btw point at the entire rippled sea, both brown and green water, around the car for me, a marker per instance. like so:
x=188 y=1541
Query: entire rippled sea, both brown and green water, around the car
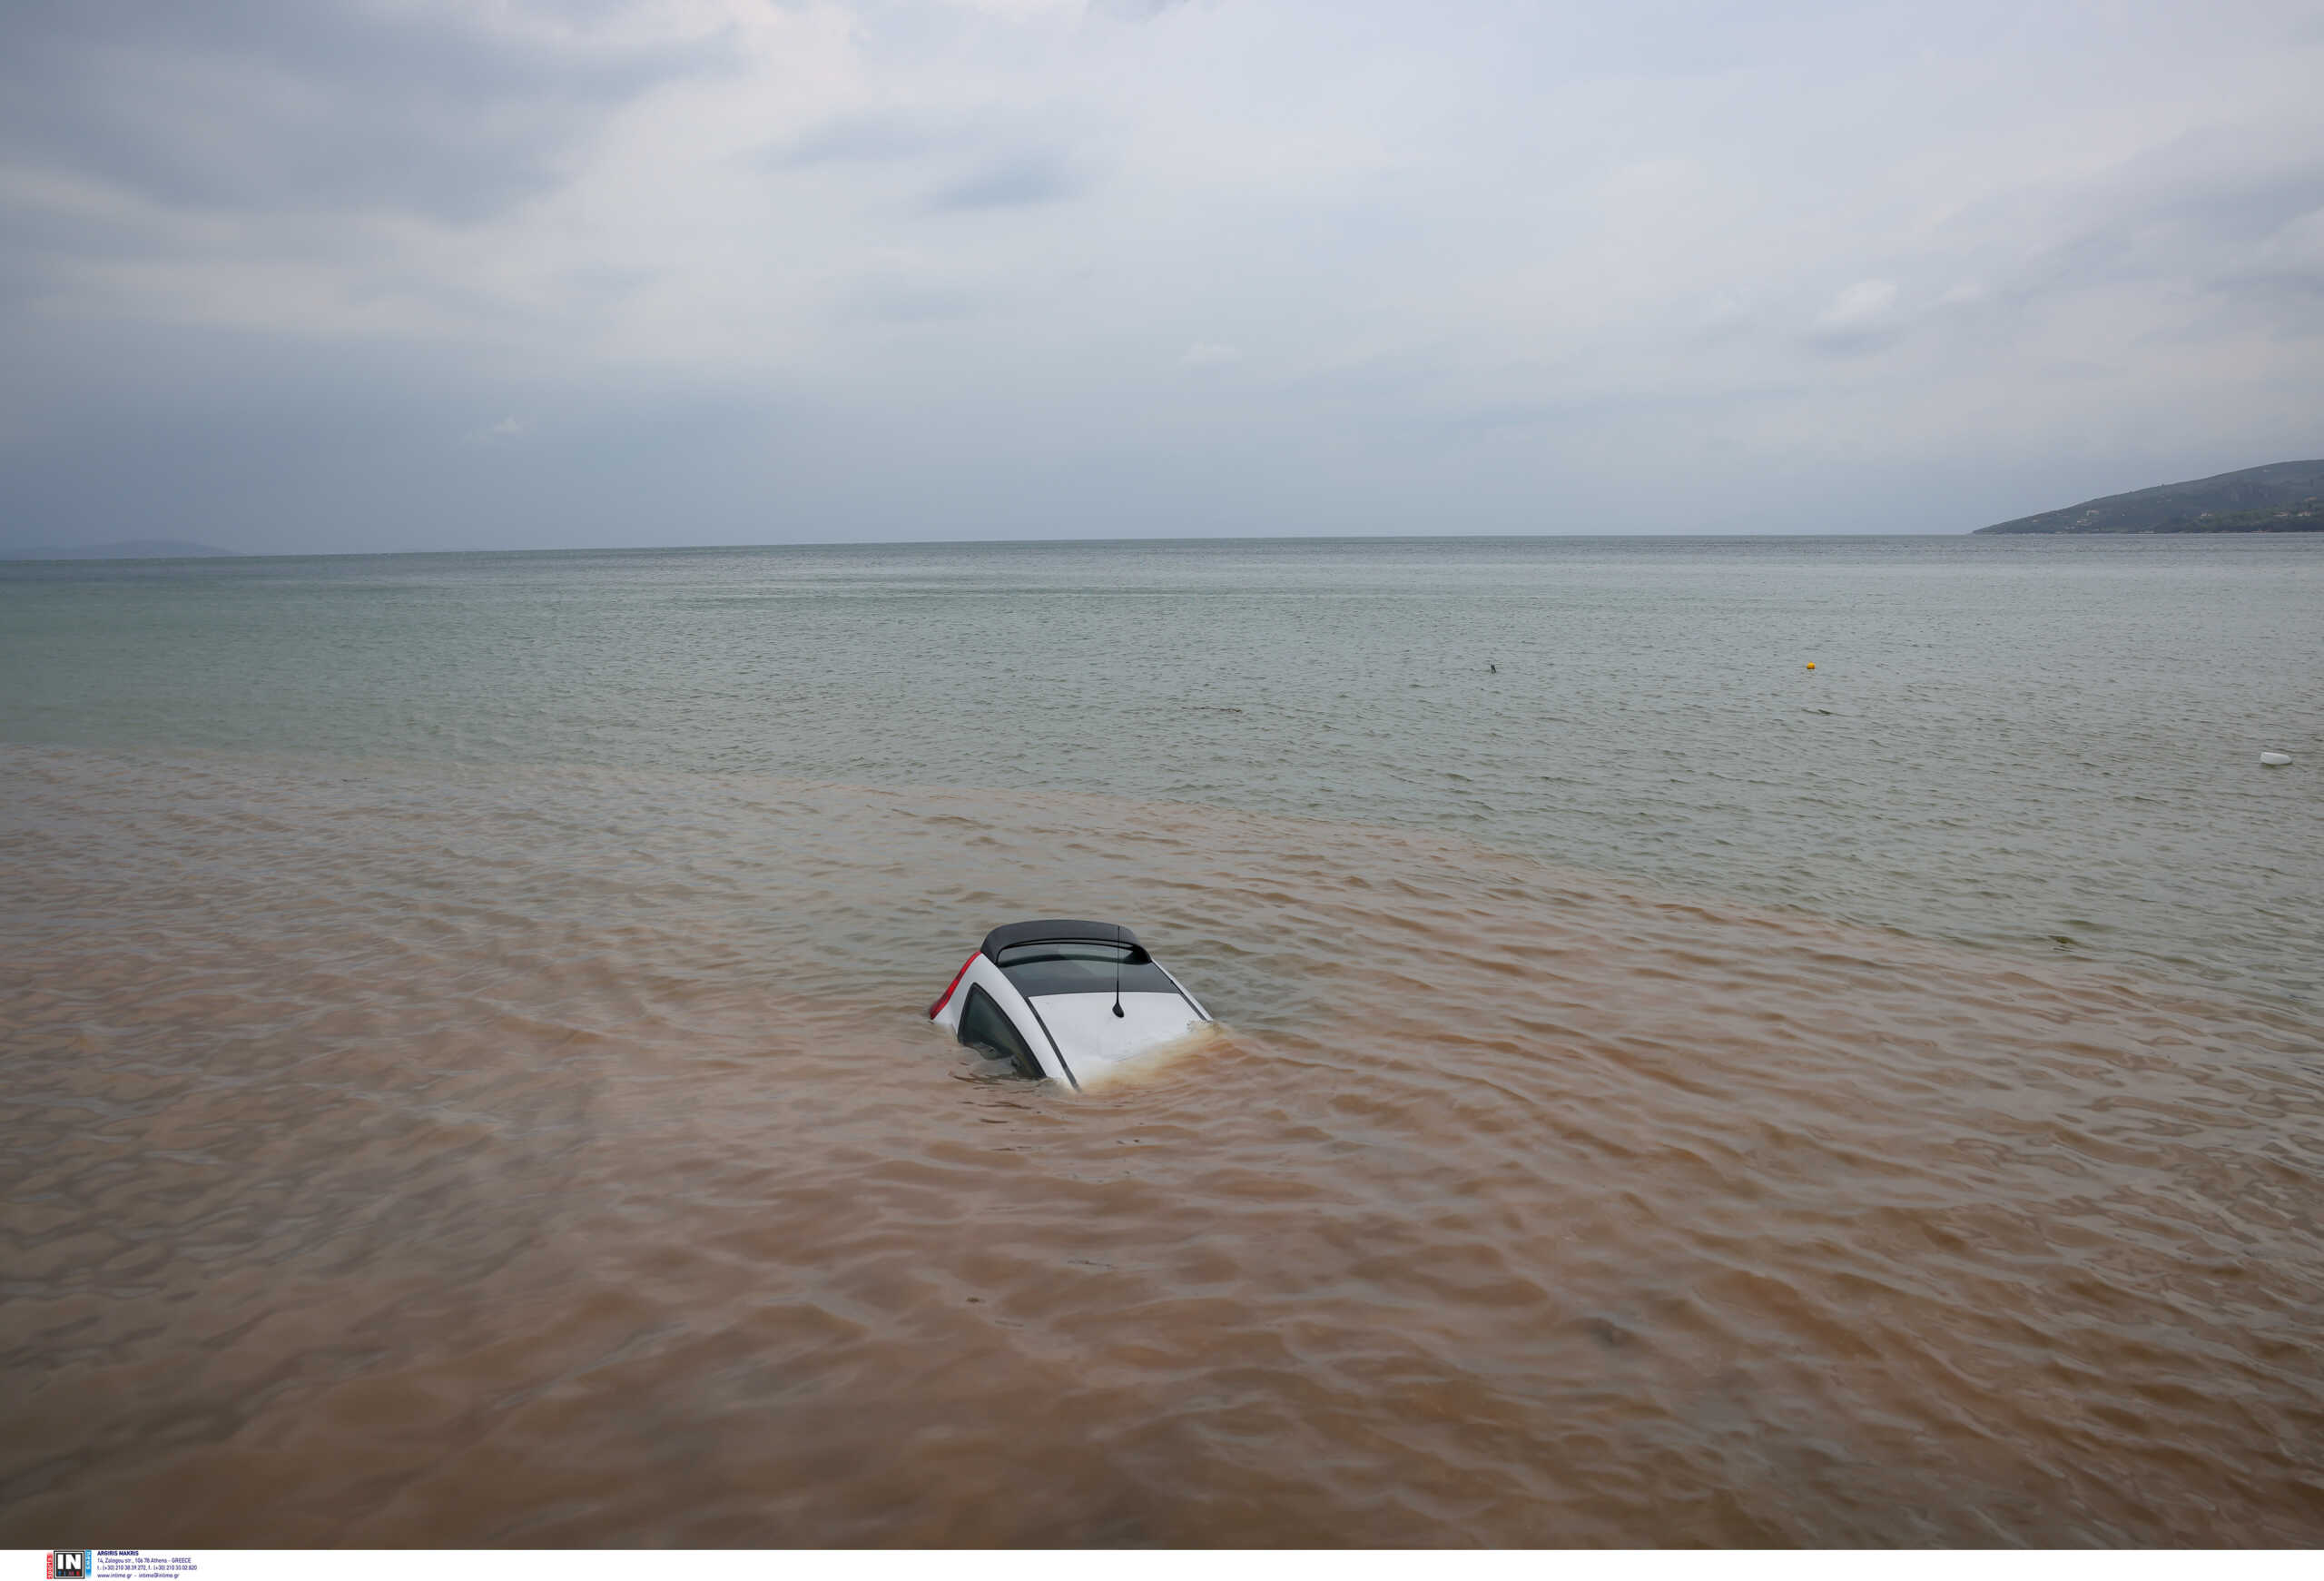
x=464 y=1017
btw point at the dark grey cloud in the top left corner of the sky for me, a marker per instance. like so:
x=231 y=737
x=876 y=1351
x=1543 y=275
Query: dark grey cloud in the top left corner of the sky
x=310 y=103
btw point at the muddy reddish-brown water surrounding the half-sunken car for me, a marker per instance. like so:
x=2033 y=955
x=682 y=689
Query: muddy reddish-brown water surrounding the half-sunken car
x=559 y=1157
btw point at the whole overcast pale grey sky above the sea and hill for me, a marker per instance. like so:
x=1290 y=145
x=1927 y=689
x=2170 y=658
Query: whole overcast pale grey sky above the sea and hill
x=299 y=276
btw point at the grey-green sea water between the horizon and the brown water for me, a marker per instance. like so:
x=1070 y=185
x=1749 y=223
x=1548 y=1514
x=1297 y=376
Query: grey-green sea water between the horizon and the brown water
x=2028 y=745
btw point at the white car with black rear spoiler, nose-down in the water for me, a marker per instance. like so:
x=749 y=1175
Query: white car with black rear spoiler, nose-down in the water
x=1066 y=1001
